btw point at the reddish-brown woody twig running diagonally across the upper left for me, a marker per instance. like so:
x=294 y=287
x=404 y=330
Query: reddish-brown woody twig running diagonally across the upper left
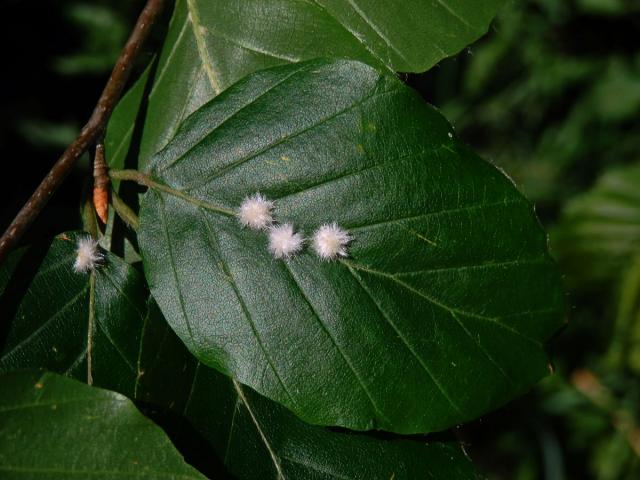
x=94 y=127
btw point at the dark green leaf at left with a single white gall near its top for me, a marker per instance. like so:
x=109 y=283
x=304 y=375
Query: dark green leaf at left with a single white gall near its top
x=67 y=321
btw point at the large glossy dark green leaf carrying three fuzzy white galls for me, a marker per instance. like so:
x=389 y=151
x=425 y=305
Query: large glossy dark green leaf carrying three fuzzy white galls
x=442 y=308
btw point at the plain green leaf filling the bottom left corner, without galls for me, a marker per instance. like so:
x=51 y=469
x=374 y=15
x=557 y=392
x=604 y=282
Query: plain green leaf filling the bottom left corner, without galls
x=52 y=427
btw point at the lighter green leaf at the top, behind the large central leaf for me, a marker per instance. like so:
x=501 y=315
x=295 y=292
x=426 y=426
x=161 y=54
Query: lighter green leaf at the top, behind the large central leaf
x=212 y=44
